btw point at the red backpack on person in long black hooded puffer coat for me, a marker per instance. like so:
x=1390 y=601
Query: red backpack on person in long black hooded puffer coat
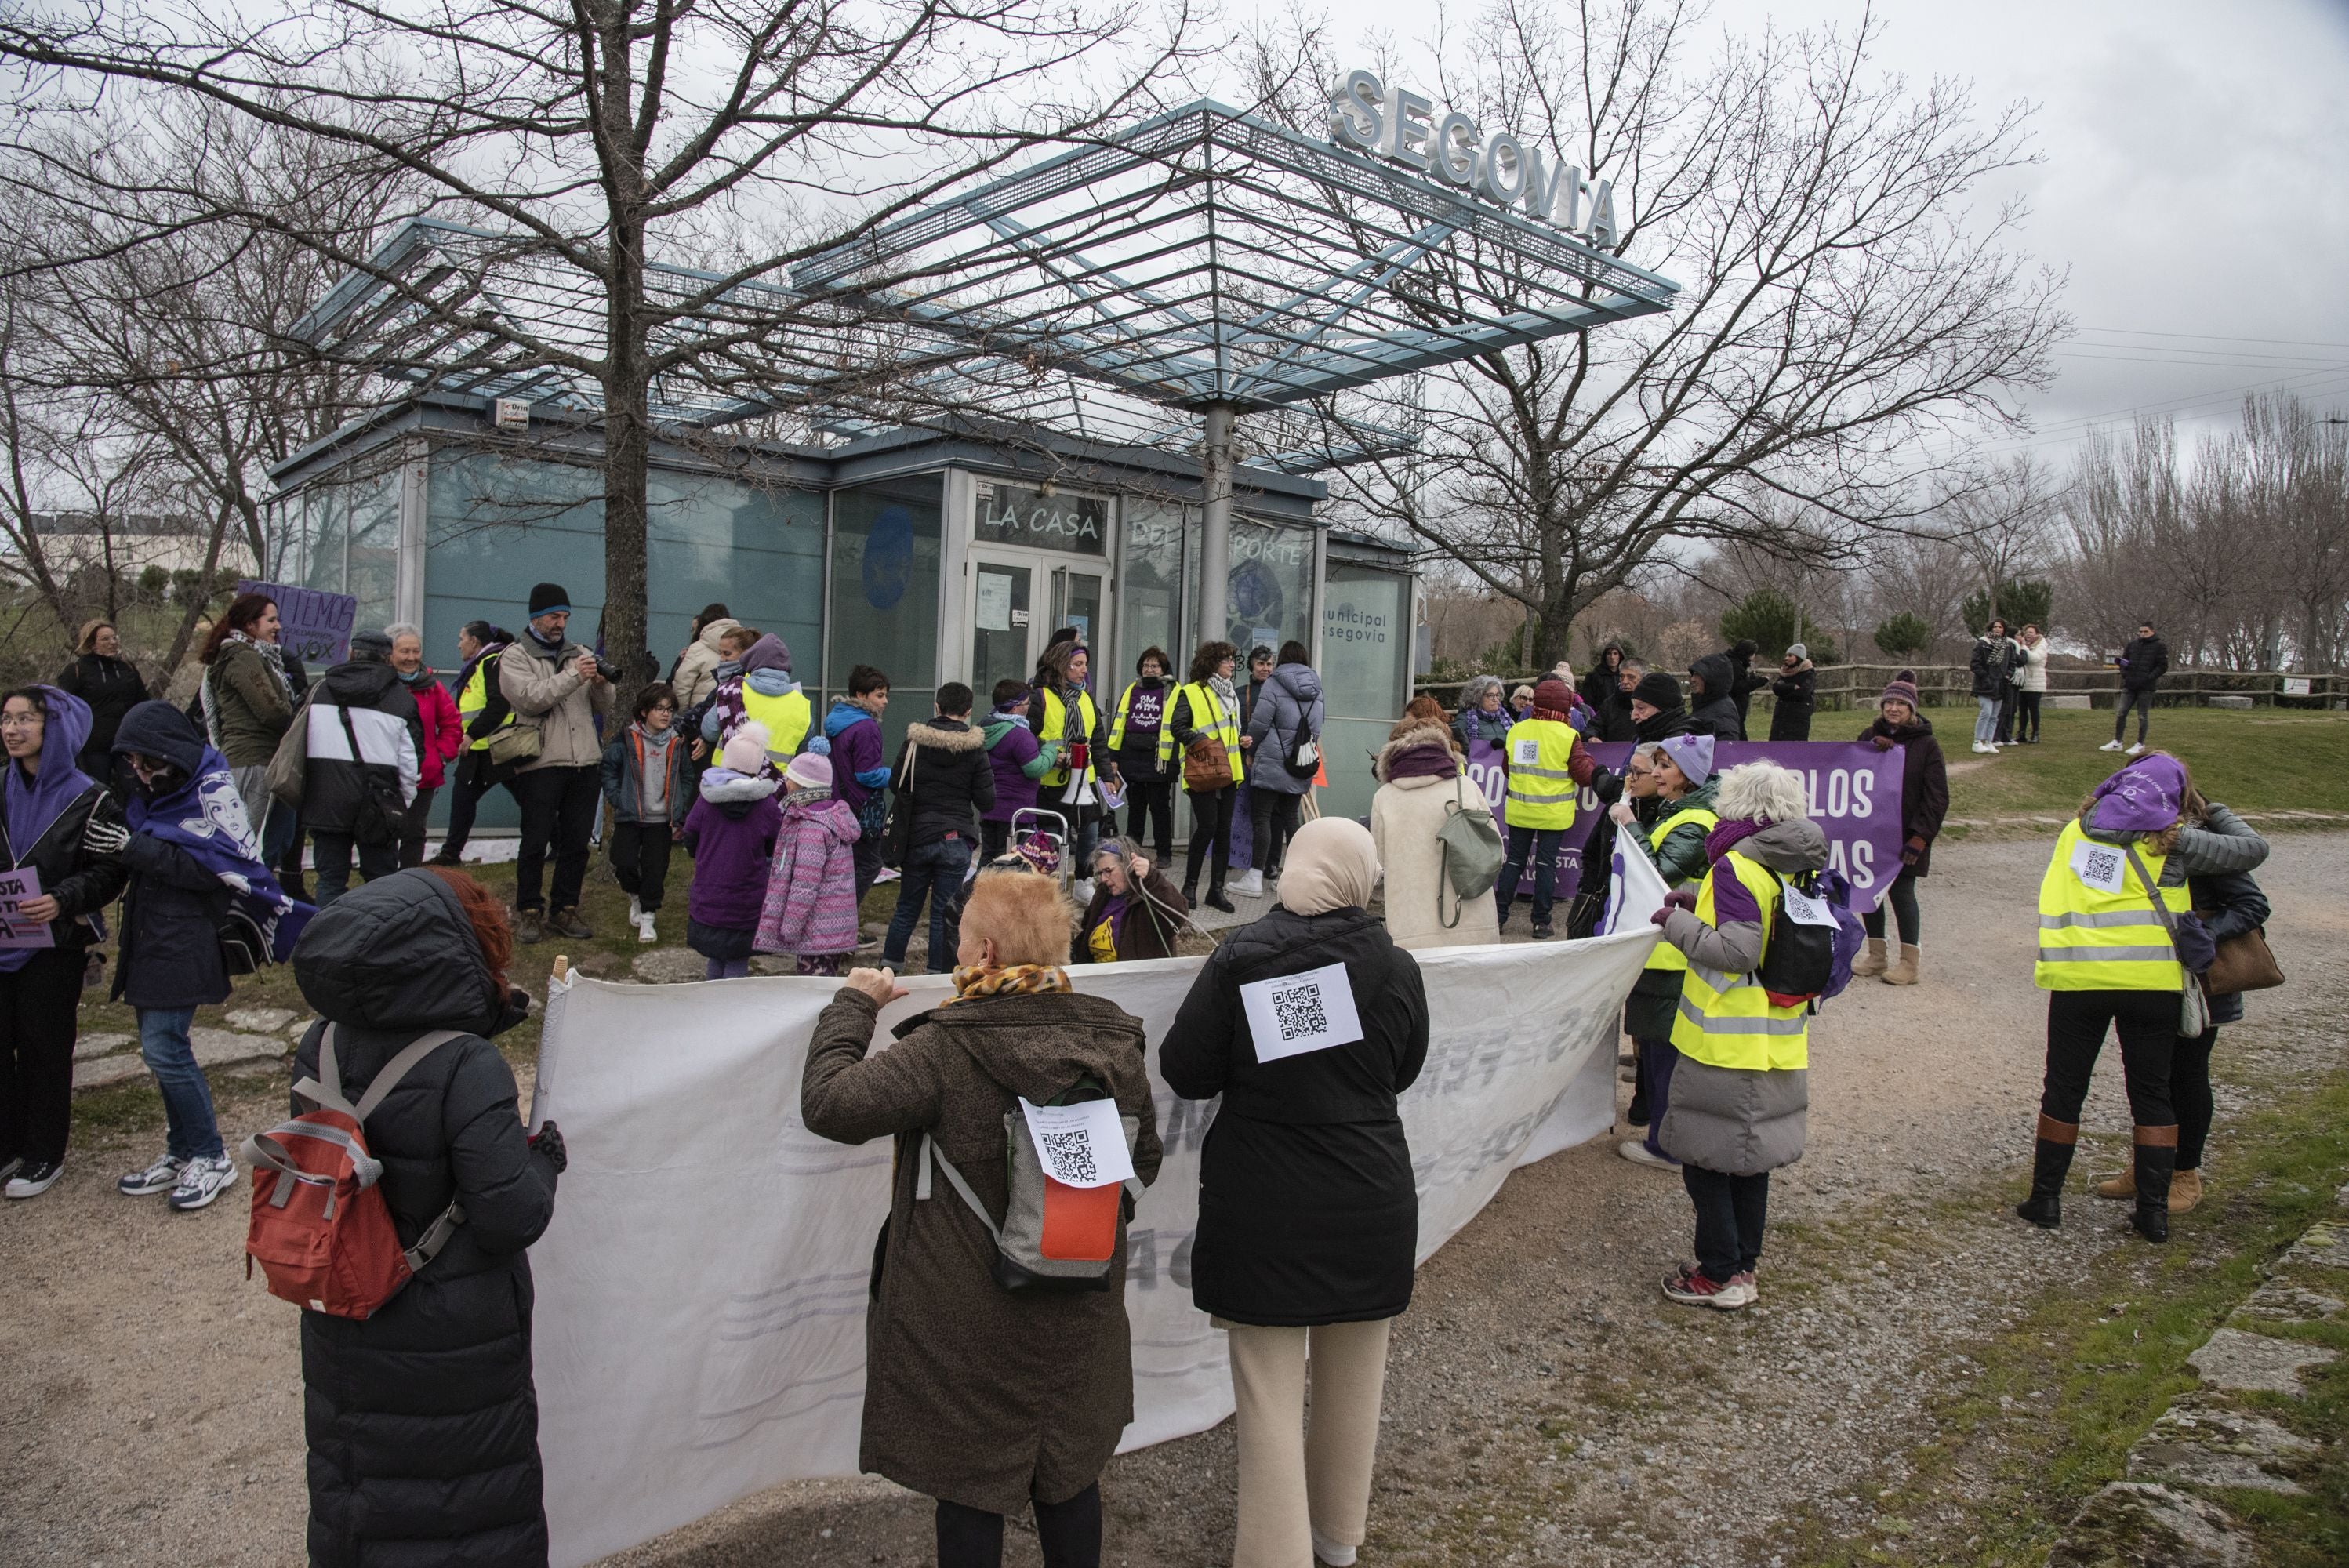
x=321 y=1226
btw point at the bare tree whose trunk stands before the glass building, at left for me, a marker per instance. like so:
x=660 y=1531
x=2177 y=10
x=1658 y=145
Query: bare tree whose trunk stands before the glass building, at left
x=595 y=135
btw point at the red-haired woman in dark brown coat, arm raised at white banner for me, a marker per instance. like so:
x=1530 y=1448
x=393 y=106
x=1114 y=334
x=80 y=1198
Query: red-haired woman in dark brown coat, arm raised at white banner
x=981 y=1395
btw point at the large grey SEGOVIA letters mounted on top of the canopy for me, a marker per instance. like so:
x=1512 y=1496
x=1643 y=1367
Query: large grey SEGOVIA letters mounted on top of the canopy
x=1404 y=128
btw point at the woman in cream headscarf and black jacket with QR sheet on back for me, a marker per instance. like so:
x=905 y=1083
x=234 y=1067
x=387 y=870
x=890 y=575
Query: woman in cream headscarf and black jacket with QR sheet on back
x=1310 y=1025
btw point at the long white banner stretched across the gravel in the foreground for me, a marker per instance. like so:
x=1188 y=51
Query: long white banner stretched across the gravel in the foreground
x=701 y=1292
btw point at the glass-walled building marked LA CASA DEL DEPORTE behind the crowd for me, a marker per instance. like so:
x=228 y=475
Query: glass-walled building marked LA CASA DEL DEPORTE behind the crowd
x=934 y=557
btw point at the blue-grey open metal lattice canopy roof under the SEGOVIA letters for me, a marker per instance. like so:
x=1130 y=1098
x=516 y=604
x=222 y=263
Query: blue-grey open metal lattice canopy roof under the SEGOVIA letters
x=1197 y=259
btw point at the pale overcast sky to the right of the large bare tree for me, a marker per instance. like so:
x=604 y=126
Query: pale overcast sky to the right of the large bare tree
x=2195 y=182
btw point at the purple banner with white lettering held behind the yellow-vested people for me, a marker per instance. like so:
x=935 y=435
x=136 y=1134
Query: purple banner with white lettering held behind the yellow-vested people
x=1855 y=802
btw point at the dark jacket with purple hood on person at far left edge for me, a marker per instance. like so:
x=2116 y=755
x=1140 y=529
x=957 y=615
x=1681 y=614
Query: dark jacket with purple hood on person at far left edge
x=81 y=884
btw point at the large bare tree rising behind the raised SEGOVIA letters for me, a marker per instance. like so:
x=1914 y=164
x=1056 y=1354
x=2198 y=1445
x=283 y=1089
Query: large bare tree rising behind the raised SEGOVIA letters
x=1840 y=302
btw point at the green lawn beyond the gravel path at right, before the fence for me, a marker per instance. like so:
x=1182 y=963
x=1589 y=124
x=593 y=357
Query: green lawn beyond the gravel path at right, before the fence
x=2256 y=762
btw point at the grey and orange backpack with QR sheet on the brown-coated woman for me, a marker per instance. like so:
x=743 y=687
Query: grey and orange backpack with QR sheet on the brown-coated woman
x=1051 y=1238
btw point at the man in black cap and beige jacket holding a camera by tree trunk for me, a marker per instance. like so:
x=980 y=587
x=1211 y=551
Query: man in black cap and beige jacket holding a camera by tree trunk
x=558 y=689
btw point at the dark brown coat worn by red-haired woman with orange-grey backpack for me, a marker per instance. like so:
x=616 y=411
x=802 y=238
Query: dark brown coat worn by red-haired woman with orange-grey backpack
x=974 y=1393
